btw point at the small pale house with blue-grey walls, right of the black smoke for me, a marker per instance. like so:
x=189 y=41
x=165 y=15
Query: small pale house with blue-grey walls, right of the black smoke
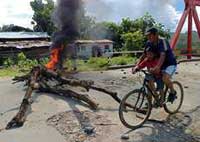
x=94 y=48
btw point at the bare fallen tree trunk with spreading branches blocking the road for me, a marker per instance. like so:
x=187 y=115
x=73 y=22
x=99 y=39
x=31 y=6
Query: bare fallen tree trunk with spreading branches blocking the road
x=41 y=79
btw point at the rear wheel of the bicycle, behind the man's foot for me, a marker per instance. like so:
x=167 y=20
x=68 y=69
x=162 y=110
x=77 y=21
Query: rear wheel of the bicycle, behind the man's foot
x=173 y=107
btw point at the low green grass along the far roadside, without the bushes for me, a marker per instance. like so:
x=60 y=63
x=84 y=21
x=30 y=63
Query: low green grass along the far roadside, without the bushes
x=93 y=64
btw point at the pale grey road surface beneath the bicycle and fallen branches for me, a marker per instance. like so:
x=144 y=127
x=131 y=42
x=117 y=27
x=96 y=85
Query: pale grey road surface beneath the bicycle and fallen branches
x=179 y=128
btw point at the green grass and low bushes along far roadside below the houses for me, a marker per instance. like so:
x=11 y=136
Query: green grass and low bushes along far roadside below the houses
x=21 y=64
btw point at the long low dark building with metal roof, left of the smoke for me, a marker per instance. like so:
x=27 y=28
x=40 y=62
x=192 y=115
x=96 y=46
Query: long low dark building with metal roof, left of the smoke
x=32 y=44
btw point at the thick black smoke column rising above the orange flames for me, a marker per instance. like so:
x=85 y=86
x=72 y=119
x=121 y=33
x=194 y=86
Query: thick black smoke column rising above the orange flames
x=66 y=17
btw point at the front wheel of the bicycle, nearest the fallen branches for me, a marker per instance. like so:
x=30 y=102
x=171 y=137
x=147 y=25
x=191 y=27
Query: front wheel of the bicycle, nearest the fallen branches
x=135 y=109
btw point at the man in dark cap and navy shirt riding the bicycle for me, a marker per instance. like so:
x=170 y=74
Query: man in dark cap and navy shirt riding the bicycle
x=166 y=60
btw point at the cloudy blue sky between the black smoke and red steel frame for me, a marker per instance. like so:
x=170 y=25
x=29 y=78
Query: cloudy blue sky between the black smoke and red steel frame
x=114 y=10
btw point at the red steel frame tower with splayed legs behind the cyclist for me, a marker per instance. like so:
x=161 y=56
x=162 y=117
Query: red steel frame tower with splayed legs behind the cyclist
x=191 y=12
